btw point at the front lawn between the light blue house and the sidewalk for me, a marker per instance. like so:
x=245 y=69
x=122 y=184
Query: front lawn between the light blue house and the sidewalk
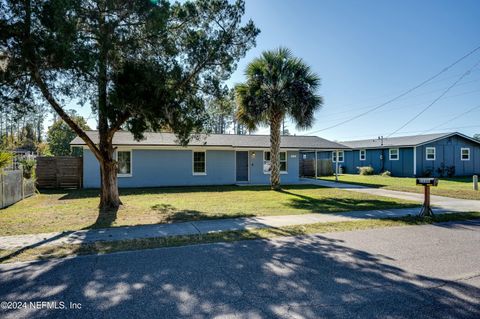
x=77 y=209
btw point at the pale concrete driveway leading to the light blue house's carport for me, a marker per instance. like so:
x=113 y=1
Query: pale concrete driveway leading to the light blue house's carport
x=445 y=203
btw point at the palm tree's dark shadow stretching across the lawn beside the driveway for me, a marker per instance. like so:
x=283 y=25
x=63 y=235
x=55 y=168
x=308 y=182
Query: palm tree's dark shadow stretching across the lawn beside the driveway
x=335 y=205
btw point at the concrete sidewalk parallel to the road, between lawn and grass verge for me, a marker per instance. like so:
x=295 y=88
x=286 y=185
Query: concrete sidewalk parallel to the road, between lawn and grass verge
x=192 y=228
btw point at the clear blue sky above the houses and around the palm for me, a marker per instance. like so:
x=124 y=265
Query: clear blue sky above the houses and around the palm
x=368 y=52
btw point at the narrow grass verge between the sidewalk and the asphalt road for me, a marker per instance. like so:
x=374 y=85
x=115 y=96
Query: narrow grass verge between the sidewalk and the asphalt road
x=7 y=256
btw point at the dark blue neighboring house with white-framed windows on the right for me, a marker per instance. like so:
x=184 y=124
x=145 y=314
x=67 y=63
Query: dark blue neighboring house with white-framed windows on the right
x=443 y=154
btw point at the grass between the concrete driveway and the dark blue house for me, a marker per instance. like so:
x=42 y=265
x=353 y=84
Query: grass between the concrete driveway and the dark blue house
x=457 y=187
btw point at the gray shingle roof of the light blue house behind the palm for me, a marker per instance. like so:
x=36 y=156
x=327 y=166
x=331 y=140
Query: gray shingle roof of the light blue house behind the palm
x=217 y=140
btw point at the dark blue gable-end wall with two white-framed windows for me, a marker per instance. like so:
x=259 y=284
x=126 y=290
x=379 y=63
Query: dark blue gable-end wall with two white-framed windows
x=448 y=152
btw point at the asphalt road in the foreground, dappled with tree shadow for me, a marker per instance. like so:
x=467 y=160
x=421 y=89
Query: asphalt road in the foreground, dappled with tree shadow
x=408 y=272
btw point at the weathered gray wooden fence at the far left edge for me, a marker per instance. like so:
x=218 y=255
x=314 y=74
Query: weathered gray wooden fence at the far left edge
x=14 y=188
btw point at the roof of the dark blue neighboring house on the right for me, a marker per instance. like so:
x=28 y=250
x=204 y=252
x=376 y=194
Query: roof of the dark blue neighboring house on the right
x=399 y=141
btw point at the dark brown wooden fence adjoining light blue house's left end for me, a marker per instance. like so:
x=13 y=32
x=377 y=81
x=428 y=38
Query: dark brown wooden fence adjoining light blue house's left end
x=59 y=172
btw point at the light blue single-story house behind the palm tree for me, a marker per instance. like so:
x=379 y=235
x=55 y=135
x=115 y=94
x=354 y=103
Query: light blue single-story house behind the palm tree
x=216 y=159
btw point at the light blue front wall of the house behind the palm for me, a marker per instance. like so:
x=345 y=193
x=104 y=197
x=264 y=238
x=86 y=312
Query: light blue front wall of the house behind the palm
x=152 y=168
